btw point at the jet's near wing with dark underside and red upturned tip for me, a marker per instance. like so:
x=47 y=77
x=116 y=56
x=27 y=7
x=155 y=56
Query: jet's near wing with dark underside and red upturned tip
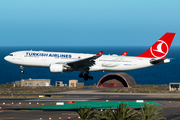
x=86 y=62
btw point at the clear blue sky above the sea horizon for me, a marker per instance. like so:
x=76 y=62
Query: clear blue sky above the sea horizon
x=87 y=22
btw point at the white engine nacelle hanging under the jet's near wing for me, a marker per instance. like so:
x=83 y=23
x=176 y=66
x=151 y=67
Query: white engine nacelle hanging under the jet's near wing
x=60 y=68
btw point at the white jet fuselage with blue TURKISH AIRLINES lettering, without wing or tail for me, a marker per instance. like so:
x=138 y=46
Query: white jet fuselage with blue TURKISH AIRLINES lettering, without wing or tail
x=103 y=63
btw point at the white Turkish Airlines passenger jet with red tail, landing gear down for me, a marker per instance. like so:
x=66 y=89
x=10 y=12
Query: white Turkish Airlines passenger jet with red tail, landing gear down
x=85 y=63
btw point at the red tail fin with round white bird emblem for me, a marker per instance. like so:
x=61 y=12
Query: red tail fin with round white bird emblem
x=160 y=48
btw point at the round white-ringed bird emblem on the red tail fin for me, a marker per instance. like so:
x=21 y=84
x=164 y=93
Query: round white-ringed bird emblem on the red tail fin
x=160 y=49
